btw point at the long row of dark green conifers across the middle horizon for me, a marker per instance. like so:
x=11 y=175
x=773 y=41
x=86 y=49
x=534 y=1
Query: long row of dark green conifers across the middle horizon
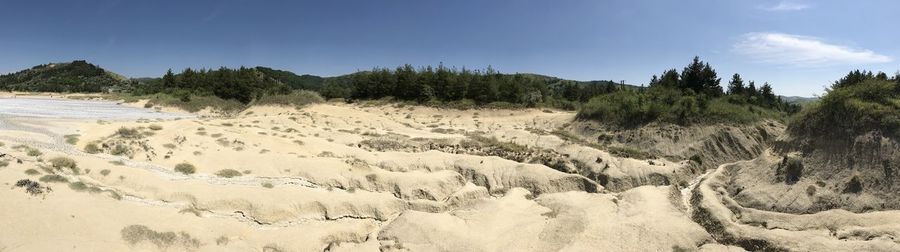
x=443 y=84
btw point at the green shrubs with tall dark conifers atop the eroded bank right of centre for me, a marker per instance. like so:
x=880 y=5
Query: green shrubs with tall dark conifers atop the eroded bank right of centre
x=692 y=97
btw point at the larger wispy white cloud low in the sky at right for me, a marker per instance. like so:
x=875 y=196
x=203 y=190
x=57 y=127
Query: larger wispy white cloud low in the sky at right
x=802 y=51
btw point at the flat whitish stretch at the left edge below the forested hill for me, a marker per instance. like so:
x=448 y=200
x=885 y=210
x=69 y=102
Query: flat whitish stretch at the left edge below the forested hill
x=77 y=109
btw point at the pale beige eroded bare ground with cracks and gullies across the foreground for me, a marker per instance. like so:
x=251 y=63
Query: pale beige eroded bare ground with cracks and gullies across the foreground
x=344 y=177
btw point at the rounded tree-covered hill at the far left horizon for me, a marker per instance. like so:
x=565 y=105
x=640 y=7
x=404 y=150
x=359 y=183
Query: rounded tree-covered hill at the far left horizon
x=75 y=76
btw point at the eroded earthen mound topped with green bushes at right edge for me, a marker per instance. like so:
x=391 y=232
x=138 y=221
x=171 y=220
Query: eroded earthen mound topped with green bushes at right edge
x=840 y=152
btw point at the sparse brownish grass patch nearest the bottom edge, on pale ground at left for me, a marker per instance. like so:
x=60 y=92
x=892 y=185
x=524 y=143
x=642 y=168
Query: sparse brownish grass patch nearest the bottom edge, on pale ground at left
x=135 y=234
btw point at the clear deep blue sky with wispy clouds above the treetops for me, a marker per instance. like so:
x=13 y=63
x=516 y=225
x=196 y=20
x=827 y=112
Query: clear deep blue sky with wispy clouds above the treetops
x=799 y=47
